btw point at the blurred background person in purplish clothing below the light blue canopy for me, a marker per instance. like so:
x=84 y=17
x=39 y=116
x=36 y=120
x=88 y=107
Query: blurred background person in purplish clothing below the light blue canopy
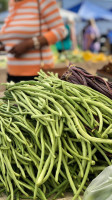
x=90 y=37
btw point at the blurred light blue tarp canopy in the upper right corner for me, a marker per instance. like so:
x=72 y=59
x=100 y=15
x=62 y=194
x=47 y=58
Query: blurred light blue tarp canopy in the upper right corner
x=89 y=10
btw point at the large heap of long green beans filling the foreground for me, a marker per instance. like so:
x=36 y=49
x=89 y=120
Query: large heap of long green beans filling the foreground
x=54 y=137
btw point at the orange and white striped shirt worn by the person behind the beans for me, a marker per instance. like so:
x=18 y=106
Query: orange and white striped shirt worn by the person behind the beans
x=23 y=23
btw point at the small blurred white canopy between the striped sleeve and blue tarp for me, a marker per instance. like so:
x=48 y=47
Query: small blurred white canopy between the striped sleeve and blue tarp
x=68 y=14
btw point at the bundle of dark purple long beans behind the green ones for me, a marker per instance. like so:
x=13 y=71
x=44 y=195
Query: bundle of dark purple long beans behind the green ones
x=79 y=75
